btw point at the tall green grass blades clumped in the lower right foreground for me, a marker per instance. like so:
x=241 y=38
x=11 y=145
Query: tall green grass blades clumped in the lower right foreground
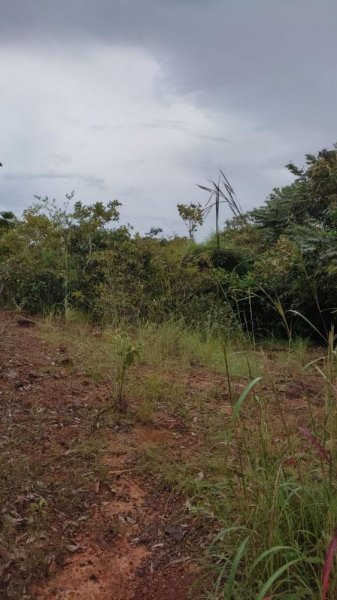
x=284 y=539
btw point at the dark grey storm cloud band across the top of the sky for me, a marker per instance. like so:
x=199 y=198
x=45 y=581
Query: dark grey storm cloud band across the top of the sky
x=271 y=58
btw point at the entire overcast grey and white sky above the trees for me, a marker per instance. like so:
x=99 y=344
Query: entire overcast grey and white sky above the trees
x=141 y=100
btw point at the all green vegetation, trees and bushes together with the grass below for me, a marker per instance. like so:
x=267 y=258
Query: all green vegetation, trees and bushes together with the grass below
x=263 y=474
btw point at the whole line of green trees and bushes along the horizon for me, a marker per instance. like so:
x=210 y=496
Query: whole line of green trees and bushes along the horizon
x=269 y=271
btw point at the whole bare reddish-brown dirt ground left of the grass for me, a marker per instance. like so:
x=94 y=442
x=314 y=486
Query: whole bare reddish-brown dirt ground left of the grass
x=81 y=522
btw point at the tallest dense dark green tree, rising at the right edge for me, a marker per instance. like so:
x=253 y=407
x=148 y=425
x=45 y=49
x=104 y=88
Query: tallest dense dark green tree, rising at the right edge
x=294 y=249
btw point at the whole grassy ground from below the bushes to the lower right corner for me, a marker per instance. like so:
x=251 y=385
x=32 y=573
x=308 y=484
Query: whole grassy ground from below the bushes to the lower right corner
x=258 y=465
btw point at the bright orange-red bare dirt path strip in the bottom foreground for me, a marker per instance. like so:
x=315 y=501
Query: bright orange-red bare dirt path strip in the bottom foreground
x=135 y=548
